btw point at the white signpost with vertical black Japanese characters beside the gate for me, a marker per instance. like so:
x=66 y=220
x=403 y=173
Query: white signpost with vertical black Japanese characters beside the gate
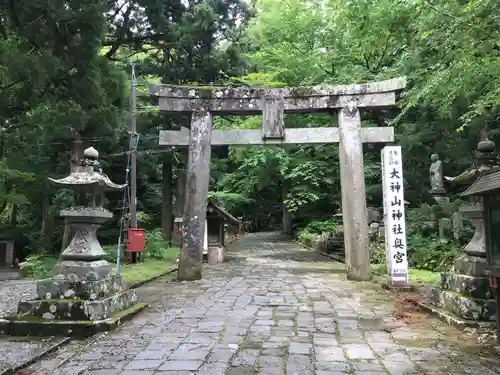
x=394 y=215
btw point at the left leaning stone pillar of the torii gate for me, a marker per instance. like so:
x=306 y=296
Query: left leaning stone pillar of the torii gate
x=195 y=207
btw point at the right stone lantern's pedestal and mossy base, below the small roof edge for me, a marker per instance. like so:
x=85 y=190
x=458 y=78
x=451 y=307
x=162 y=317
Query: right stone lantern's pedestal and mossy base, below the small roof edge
x=465 y=291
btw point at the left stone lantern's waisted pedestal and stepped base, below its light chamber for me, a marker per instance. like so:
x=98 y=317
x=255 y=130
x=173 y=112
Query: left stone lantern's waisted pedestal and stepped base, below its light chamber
x=82 y=298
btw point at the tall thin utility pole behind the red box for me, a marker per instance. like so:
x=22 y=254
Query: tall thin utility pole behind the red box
x=133 y=151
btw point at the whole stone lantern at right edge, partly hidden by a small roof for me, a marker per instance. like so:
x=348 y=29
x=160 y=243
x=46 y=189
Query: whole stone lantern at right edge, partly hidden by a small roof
x=465 y=290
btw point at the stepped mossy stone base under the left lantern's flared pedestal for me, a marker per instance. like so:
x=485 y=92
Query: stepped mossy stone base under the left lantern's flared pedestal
x=73 y=308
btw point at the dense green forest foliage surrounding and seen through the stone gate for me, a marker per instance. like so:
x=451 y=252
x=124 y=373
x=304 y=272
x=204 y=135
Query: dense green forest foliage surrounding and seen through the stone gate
x=64 y=70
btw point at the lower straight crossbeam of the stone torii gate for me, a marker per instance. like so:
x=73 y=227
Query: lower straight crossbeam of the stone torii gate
x=291 y=136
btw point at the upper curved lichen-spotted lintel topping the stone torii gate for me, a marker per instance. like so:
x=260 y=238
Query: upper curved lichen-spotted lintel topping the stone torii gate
x=245 y=101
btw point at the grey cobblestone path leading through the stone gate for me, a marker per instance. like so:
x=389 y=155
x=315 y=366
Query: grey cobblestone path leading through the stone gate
x=273 y=309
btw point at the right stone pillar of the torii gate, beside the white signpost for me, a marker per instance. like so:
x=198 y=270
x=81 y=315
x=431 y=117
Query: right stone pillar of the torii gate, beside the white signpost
x=352 y=180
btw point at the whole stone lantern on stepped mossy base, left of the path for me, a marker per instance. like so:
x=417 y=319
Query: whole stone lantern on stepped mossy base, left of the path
x=82 y=297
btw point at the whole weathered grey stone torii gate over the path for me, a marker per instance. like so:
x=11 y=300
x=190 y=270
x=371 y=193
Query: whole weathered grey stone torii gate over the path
x=272 y=103
